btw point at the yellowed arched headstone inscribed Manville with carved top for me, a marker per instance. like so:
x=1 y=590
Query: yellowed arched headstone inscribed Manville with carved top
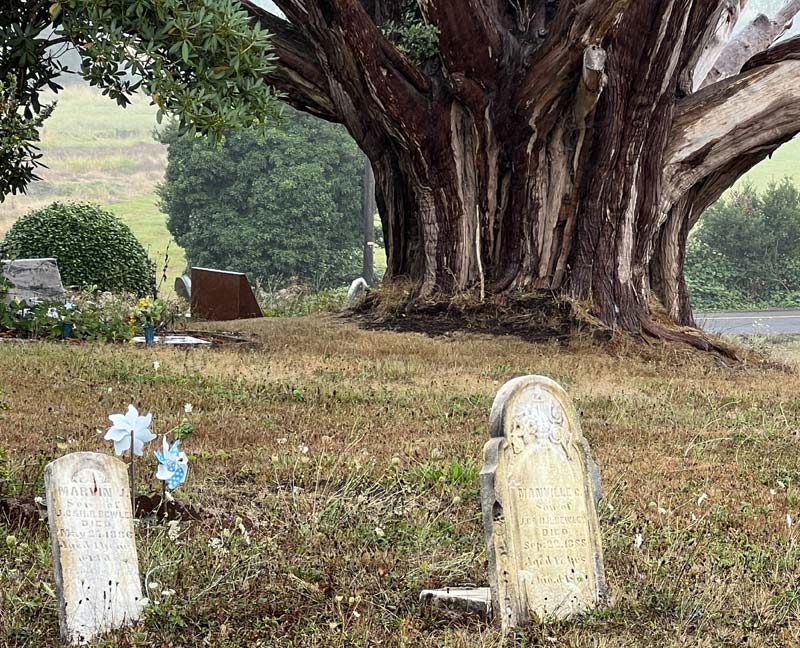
x=539 y=492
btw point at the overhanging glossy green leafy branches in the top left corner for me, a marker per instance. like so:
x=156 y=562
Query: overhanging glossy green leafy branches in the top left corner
x=202 y=61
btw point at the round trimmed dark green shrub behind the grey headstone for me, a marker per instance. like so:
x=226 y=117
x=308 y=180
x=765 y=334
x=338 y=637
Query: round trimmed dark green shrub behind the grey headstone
x=92 y=246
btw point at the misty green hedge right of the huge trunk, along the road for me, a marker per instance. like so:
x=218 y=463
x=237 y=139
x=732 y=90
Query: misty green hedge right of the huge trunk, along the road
x=745 y=252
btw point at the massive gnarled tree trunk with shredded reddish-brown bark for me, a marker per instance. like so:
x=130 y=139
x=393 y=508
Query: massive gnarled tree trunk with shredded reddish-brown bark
x=562 y=148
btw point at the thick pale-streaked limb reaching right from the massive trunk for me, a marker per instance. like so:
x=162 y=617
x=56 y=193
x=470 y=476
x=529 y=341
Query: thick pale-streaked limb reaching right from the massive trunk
x=748 y=115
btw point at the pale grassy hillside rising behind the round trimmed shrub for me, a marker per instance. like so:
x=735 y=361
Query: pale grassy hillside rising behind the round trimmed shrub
x=99 y=152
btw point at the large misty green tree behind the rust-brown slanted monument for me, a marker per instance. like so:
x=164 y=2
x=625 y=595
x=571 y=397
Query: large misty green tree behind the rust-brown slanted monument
x=282 y=203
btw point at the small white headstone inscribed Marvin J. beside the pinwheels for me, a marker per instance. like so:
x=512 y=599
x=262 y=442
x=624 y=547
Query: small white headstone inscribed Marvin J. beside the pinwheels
x=94 y=549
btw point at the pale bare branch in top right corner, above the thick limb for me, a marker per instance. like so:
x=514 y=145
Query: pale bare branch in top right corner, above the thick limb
x=754 y=38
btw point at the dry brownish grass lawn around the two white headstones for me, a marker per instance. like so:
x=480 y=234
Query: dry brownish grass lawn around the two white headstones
x=395 y=424
